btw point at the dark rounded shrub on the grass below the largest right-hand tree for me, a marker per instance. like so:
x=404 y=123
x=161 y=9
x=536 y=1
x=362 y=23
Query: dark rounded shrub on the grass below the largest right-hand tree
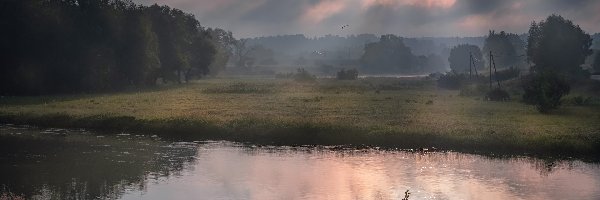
x=545 y=90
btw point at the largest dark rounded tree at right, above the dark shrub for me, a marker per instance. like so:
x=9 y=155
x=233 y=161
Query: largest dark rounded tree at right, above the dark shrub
x=558 y=45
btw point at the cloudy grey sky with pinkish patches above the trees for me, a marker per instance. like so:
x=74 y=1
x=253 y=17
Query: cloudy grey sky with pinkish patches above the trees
x=408 y=18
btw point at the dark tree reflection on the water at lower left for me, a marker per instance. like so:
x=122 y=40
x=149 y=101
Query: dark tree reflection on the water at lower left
x=50 y=166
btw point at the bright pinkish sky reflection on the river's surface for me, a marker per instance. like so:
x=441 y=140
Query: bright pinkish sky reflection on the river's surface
x=226 y=171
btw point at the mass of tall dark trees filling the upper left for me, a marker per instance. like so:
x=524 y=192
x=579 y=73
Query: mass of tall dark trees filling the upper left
x=69 y=46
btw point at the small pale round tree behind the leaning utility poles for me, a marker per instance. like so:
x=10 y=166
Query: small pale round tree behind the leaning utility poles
x=459 y=58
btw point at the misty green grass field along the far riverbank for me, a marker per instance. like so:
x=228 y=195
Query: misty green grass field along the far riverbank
x=387 y=112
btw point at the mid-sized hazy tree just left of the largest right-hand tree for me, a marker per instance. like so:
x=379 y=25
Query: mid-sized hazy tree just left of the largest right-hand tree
x=502 y=47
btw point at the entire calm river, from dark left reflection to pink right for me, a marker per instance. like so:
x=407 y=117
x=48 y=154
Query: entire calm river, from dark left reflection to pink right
x=76 y=164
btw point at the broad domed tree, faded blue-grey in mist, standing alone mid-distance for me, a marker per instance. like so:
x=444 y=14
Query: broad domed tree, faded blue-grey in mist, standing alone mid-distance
x=389 y=55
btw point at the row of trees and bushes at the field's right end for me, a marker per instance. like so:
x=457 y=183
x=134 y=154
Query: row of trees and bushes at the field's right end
x=555 y=55
